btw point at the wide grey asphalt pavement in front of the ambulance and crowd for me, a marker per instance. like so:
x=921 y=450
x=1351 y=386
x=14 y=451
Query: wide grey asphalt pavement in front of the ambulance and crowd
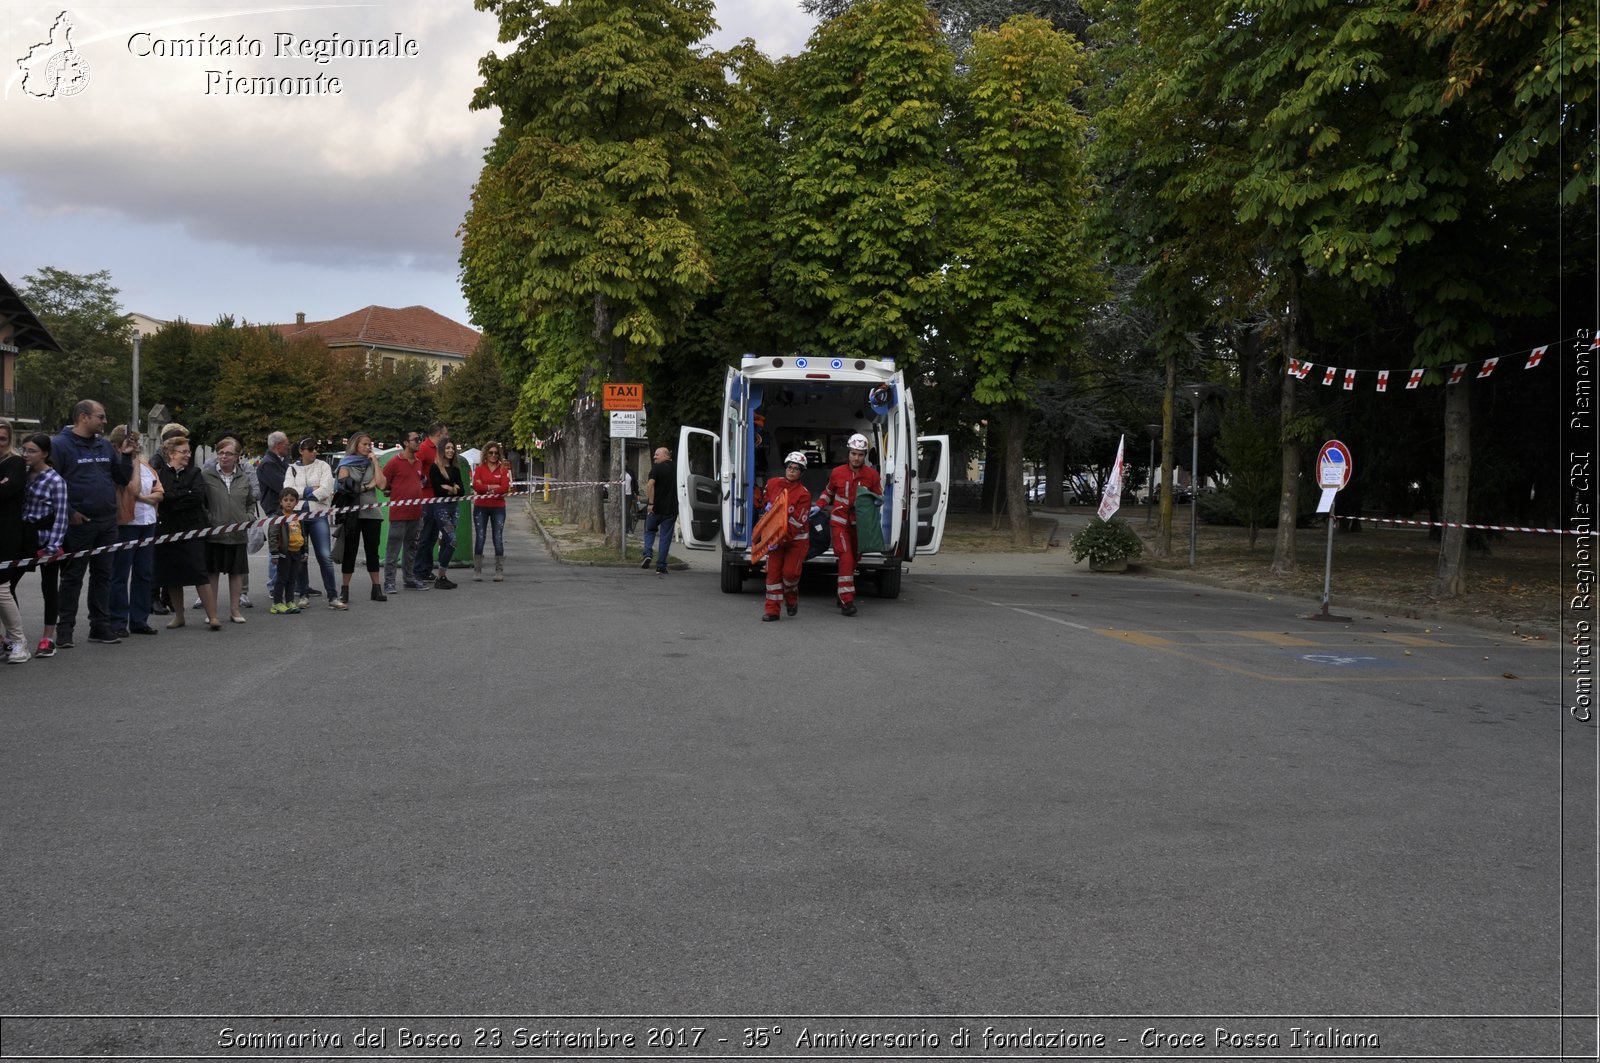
x=594 y=792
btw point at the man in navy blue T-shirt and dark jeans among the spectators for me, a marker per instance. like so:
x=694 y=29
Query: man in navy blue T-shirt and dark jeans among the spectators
x=94 y=471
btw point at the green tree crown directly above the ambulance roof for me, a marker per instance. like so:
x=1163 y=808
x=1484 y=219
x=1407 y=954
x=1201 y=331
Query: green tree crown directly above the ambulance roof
x=857 y=236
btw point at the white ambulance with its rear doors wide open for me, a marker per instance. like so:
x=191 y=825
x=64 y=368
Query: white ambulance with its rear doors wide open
x=780 y=404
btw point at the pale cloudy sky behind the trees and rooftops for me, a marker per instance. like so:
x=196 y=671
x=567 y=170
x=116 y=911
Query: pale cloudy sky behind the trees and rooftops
x=150 y=161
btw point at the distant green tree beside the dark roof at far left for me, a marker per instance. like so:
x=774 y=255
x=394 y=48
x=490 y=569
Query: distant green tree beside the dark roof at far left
x=97 y=347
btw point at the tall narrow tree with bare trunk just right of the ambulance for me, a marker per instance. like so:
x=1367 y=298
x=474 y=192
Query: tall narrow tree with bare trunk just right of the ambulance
x=1022 y=276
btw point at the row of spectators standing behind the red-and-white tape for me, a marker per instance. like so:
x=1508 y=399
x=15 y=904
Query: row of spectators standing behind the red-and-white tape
x=82 y=489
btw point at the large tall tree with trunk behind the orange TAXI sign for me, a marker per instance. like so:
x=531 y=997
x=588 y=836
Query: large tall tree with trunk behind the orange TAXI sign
x=593 y=196
